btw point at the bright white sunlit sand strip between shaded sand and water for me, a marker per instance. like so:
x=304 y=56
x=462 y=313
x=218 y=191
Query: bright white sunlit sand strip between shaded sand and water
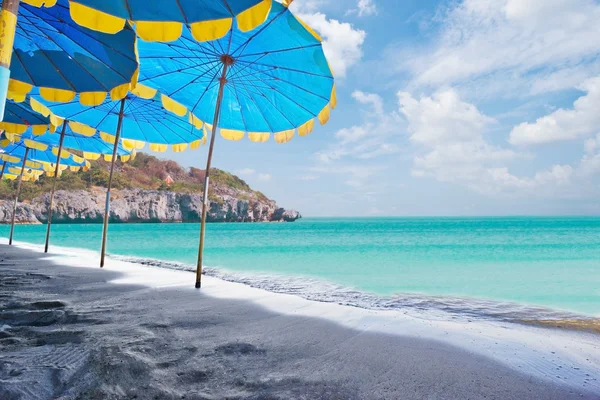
x=566 y=357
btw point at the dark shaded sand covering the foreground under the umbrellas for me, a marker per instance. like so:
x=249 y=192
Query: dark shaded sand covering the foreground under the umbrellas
x=67 y=333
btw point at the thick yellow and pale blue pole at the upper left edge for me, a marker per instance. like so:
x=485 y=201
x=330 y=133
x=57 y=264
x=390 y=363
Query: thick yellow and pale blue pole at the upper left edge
x=8 y=25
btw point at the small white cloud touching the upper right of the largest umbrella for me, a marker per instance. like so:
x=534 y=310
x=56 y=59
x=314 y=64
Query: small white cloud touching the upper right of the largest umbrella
x=342 y=43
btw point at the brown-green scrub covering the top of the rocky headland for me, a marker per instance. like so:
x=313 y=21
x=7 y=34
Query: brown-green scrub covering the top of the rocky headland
x=144 y=172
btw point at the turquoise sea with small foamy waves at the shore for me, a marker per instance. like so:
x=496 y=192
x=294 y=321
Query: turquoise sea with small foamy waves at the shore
x=490 y=266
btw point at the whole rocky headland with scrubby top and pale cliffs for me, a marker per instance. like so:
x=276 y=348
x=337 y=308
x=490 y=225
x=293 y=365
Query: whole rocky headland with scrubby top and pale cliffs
x=146 y=189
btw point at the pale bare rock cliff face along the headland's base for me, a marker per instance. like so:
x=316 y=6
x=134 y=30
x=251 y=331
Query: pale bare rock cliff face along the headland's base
x=137 y=205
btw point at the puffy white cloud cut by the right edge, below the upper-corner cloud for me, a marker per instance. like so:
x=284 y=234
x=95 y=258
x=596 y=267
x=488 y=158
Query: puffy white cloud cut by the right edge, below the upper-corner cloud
x=582 y=120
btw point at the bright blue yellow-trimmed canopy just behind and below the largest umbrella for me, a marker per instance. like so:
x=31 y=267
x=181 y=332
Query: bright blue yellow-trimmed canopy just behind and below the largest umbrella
x=148 y=117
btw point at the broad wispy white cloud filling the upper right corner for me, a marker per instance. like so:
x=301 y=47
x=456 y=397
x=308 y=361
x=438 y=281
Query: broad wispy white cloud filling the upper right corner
x=509 y=47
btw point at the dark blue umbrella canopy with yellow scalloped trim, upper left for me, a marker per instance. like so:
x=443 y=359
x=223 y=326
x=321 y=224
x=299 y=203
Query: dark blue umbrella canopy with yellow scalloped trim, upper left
x=60 y=57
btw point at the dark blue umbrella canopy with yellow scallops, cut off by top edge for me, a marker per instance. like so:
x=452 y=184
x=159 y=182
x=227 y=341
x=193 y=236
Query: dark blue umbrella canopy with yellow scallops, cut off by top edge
x=162 y=20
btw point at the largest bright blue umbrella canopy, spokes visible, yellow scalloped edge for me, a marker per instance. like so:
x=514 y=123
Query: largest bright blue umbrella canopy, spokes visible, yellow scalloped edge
x=277 y=77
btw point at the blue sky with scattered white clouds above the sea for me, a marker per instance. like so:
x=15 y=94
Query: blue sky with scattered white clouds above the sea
x=472 y=107
